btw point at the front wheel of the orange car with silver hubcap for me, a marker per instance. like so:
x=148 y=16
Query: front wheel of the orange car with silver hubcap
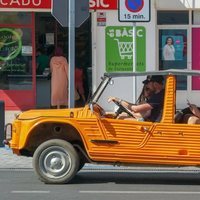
x=56 y=161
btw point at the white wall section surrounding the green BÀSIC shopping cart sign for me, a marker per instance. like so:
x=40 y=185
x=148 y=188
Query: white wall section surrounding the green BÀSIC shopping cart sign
x=126 y=88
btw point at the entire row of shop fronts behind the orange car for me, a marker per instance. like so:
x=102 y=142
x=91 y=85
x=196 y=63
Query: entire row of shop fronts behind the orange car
x=27 y=25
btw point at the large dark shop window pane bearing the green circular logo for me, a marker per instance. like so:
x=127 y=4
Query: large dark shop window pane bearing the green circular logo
x=15 y=59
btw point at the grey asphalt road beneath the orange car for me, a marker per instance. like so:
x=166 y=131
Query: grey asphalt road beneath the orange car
x=98 y=185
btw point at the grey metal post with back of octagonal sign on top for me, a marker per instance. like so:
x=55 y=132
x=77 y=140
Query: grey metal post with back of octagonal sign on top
x=71 y=14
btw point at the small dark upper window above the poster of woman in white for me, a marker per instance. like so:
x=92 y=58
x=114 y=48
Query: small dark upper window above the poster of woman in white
x=172 y=17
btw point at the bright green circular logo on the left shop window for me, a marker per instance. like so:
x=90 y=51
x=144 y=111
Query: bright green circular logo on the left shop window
x=10 y=43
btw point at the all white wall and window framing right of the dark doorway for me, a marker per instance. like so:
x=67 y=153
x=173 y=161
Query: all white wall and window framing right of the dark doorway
x=131 y=89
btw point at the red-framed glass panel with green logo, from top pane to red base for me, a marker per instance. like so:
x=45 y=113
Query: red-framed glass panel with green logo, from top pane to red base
x=17 y=58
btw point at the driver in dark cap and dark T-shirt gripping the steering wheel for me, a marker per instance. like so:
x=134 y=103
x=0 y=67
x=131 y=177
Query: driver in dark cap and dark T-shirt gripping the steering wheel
x=153 y=104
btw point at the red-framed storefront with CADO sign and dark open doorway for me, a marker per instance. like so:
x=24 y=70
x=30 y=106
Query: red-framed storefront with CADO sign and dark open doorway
x=27 y=26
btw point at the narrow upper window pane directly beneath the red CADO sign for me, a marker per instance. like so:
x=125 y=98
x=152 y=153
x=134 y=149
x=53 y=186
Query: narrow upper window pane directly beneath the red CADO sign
x=15 y=18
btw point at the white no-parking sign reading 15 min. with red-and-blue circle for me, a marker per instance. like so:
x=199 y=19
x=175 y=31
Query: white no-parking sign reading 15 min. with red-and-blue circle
x=134 y=10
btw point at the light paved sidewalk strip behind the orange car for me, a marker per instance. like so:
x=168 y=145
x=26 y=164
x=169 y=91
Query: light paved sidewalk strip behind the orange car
x=10 y=161
